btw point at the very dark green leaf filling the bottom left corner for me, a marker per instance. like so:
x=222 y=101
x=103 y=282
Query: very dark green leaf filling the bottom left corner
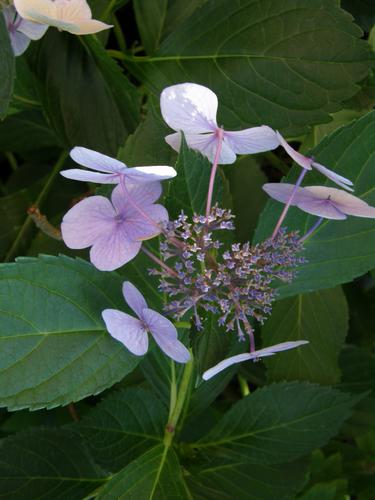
x=47 y=463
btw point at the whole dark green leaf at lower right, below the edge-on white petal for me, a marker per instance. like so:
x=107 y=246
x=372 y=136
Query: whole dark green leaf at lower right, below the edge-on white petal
x=278 y=423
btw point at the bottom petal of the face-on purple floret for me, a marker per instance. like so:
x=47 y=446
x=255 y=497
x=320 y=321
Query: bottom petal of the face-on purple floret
x=113 y=250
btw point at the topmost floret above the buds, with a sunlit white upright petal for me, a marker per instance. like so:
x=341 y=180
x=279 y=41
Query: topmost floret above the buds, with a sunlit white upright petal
x=192 y=109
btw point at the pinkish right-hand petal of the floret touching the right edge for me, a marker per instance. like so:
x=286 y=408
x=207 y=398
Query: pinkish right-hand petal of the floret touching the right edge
x=345 y=202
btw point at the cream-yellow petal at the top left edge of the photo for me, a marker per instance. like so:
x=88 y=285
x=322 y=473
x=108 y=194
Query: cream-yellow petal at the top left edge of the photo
x=73 y=16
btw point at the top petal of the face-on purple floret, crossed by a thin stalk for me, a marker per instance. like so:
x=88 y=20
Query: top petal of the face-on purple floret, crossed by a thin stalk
x=141 y=194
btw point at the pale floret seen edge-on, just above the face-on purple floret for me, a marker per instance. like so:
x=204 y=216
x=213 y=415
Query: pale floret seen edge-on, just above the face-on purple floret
x=111 y=171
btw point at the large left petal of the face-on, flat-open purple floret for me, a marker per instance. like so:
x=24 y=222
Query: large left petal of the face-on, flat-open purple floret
x=89 y=220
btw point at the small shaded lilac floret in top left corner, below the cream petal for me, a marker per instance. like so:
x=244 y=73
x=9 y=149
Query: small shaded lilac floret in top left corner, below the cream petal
x=21 y=31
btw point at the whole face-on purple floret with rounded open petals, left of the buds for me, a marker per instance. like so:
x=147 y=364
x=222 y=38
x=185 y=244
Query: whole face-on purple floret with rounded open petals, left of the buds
x=115 y=231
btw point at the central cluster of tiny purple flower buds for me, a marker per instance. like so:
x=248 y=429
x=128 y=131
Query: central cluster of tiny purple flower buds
x=234 y=283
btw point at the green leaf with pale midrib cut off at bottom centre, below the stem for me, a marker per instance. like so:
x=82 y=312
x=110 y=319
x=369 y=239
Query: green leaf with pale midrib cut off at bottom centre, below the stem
x=156 y=475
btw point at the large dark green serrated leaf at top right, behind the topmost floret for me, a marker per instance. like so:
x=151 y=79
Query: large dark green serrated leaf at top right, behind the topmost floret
x=275 y=62
